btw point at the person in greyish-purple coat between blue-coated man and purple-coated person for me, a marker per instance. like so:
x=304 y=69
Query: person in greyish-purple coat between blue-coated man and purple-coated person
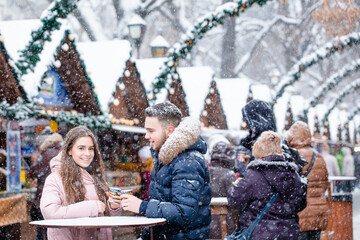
x=221 y=178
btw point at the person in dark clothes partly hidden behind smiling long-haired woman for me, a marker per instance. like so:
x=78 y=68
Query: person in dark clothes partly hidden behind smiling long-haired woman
x=40 y=169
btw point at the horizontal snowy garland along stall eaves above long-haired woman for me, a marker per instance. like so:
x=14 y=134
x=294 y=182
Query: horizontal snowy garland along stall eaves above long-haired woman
x=21 y=111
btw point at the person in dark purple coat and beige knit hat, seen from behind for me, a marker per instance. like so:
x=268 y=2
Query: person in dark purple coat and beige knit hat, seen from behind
x=270 y=172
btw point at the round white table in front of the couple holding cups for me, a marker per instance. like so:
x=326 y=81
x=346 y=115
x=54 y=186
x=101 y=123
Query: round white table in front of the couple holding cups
x=101 y=222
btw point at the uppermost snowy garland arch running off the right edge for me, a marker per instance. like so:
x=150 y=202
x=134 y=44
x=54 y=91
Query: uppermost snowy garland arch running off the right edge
x=336 y=45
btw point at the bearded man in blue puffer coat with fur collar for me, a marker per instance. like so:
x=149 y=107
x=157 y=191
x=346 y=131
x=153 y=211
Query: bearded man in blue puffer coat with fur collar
x=180 y=184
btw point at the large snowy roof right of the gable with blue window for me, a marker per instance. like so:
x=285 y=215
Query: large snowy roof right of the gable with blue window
x=105 y=62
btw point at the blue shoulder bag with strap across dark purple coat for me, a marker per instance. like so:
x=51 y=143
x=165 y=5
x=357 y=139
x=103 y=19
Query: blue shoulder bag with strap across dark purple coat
x=245 y=234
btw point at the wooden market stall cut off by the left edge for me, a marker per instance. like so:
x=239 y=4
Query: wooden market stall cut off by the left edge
x=13 y=210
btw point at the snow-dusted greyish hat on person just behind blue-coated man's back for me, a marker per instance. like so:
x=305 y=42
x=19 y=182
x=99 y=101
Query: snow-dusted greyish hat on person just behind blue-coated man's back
x=224 y=153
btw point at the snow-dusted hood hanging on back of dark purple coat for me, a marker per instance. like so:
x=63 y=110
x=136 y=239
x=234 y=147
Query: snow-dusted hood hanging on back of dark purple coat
x=281 y=174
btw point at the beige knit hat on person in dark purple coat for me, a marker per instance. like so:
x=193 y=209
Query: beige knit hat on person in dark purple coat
x=268 y=144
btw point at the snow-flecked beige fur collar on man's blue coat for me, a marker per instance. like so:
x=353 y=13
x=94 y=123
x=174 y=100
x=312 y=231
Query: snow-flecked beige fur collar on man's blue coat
x=184 y=135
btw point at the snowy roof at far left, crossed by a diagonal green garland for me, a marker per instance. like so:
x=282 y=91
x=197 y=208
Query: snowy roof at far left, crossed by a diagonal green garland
x=17 y=35
